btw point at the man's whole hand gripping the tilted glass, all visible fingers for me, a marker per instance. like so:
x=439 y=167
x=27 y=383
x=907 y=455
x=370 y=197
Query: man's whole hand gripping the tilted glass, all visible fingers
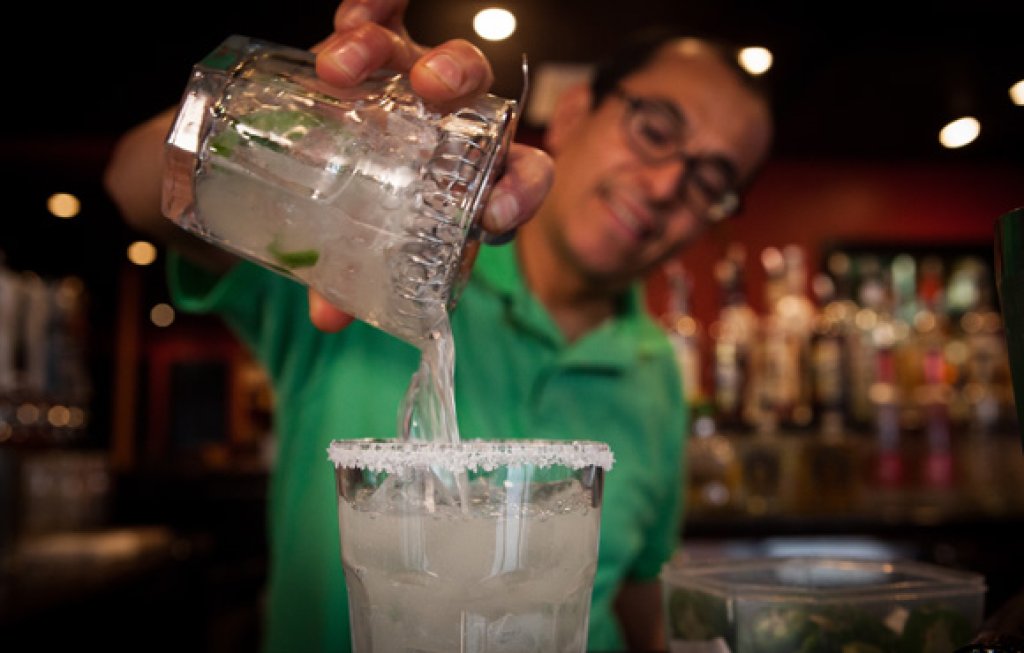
x=370 y=35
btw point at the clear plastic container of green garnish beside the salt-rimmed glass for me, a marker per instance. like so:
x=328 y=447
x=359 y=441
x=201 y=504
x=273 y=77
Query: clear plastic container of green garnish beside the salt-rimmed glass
x=820 y=605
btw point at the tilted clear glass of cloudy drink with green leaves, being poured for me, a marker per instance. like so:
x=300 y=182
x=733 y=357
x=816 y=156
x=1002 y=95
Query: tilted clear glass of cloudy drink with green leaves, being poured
x=365 y=194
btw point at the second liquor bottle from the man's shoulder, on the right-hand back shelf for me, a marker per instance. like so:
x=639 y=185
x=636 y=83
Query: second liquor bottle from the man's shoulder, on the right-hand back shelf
x=734 y=336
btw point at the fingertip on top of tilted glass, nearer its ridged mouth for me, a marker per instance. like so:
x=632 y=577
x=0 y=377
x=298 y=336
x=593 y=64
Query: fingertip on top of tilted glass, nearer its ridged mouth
x=452 y=72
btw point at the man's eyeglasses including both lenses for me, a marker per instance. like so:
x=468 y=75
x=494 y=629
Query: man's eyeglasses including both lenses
x=656 y=129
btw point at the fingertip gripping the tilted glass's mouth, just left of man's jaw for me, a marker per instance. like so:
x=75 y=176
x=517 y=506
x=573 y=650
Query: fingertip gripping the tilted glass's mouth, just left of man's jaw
x=521 y=191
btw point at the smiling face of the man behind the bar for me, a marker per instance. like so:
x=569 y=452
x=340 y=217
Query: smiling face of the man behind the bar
x=614 y=211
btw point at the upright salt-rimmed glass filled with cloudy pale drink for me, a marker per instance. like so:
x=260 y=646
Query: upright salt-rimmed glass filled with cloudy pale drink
x=476 y=546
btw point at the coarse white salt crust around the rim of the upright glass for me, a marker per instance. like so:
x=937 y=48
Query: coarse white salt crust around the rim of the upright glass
x=397 y=456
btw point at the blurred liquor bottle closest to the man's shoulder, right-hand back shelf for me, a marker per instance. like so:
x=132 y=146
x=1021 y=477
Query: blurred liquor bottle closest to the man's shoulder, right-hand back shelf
x=685 y=331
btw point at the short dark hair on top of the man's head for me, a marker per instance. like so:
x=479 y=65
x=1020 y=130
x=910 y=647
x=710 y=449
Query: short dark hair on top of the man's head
x=641 y=49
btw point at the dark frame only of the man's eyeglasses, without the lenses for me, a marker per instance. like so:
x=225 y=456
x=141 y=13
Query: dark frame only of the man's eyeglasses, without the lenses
x=728 y=204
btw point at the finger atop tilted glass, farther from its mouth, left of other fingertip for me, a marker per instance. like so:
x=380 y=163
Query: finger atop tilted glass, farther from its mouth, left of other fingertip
x=347 y=59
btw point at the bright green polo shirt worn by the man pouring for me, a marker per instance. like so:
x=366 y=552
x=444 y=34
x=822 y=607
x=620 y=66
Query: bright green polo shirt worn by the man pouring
x=516 y=377
